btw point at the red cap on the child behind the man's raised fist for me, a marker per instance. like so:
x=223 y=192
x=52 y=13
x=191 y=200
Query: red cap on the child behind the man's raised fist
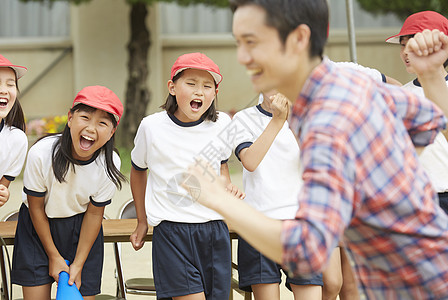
x=420 y=21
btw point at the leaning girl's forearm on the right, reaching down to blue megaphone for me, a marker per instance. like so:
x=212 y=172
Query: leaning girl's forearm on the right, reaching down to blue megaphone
x=91 y=225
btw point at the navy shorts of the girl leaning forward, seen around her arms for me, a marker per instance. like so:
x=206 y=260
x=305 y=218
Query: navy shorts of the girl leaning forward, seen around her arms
x=30 y=262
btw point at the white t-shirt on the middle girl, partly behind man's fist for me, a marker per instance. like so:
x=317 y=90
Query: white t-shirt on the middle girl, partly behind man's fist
x=167 y=147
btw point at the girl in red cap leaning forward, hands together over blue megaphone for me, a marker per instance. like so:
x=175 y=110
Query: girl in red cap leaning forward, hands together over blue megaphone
x=69 y=178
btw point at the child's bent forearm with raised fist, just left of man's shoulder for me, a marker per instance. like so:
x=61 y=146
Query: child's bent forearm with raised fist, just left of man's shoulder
x=252 y=156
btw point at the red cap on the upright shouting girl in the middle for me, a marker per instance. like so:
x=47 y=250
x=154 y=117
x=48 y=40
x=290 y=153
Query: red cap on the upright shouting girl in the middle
x=196 y=61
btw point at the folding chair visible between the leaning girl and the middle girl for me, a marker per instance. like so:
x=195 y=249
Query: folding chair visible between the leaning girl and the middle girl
x=136 y=286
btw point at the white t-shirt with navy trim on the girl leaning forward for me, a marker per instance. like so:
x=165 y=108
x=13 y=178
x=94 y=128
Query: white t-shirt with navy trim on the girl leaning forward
x=88 y=182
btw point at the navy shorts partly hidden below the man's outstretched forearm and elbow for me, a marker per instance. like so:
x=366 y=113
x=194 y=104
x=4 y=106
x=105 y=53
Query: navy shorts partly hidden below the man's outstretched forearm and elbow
x=255 y=268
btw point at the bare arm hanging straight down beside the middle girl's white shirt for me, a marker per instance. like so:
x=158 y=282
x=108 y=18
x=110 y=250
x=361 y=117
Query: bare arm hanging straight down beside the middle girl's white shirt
x=138 y=189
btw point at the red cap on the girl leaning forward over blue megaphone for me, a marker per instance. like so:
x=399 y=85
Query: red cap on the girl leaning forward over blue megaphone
x=100 y=97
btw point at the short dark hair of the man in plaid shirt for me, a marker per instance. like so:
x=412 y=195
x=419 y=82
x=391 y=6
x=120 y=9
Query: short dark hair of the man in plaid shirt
x=287 y=15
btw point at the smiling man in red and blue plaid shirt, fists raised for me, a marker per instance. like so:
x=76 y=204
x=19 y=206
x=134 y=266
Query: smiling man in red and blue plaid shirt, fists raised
x=359 y=139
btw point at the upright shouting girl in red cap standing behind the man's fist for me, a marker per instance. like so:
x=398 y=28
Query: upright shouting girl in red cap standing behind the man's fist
x=191 y=245
